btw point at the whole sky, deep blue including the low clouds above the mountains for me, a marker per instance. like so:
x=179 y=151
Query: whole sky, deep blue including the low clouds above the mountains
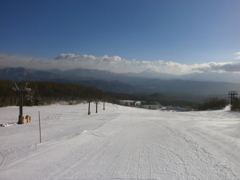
x=188 y=35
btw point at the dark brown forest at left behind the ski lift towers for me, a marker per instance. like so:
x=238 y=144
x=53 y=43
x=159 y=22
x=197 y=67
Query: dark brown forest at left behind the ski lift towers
x=48 y=92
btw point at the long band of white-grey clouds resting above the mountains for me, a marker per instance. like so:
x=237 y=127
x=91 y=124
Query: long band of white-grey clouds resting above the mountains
x=67 y=61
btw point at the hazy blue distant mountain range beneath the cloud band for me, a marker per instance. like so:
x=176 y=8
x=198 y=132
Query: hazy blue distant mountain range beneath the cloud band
x=131 y=83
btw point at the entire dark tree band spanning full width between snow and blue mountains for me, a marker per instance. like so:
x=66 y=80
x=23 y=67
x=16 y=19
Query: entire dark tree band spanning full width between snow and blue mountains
x=43 y=93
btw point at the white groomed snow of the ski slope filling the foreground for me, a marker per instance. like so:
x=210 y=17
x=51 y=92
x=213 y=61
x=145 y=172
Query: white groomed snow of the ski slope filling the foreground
x=119 y=143
